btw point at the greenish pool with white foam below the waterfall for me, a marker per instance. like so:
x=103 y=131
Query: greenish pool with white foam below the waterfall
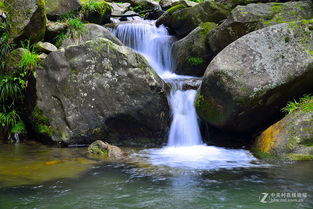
x=36 y=176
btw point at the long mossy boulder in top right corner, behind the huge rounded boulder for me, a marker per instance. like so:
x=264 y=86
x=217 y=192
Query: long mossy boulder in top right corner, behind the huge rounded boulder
x=245 y=19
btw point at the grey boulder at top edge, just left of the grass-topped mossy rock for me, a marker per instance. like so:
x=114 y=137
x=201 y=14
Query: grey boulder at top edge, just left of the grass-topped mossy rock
x=57 y=8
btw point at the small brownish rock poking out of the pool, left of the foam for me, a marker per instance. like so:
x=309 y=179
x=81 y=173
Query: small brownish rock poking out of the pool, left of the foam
x=103 y=148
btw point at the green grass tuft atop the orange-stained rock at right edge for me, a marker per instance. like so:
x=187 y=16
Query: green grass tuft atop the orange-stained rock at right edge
x=305 y=103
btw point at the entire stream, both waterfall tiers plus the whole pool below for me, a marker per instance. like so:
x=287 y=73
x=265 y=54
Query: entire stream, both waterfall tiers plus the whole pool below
x=186 y=173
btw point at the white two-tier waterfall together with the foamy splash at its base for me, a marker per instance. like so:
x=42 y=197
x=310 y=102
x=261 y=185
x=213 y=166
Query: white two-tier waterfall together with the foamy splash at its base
x=185 y=147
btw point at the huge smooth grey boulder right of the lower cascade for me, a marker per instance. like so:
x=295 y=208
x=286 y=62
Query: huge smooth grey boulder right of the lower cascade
x=247 y=83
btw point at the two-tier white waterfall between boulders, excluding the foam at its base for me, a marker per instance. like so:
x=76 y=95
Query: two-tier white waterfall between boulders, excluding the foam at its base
x=155 y=44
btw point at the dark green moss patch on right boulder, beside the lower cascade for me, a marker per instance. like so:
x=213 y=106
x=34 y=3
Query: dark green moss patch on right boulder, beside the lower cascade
x=208 y=110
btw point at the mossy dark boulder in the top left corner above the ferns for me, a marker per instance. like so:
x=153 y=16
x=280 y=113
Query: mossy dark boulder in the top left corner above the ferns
x=27 y=19
